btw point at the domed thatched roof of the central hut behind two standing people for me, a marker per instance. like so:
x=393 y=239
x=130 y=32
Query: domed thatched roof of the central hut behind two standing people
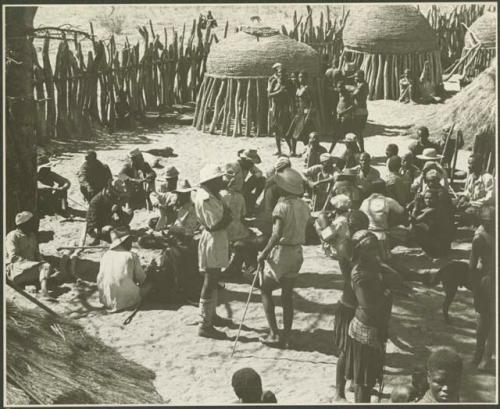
x=252 y=55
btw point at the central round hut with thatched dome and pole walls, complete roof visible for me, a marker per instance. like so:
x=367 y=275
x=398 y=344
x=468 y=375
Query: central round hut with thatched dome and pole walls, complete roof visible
x=233 y=96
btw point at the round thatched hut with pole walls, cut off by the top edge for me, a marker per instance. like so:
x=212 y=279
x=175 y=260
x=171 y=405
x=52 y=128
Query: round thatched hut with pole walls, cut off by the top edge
x=384 y=40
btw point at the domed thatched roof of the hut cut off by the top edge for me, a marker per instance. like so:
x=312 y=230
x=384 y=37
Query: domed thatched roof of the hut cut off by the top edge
x=388 y=29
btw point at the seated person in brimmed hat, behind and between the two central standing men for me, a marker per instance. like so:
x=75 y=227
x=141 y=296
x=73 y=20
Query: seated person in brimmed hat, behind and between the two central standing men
x=248 y=178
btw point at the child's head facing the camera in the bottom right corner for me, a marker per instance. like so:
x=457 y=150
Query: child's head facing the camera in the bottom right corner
x=444 y=375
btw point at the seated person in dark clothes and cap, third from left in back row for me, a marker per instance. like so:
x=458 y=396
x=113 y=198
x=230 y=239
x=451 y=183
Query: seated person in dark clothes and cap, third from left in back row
x=139 y=180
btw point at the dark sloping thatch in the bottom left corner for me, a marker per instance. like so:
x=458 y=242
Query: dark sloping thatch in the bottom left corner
x=70 y=366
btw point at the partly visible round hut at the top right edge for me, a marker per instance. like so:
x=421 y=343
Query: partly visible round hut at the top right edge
x=479 y=45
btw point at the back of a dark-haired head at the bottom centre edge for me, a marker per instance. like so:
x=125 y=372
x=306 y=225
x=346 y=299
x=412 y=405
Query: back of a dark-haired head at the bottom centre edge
x=247 y=386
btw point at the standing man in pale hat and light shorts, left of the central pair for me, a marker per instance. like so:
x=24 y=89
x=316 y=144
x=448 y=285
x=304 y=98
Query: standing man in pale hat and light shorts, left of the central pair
x=213 y=247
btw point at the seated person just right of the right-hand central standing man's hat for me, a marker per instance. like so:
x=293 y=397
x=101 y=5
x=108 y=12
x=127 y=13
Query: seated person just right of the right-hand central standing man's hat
x=320 y=179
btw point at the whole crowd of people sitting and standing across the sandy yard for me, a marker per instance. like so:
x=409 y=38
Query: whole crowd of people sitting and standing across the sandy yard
x=239 y=221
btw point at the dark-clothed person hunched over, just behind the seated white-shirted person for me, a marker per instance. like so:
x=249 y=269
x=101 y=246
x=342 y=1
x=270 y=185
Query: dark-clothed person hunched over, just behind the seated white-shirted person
x=105 y=212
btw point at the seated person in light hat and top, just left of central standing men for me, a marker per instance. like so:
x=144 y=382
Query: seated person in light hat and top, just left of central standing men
x=164 y=199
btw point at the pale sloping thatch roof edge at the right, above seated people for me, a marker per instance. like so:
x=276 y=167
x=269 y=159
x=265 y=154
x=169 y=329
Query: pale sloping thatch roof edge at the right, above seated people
x=470 y=110
